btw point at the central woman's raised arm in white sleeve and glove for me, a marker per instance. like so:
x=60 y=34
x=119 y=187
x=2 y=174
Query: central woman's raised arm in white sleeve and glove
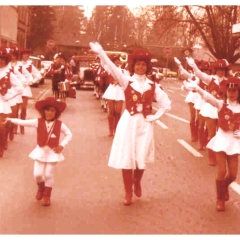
x=109 y=66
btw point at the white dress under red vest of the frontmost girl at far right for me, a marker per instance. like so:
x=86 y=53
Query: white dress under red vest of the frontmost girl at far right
x=224 y=140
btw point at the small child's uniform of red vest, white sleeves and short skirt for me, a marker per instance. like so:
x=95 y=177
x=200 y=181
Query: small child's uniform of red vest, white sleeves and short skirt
x=43 y=151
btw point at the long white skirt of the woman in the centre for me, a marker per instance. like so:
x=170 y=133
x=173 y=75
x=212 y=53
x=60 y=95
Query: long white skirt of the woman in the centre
x=133 y=143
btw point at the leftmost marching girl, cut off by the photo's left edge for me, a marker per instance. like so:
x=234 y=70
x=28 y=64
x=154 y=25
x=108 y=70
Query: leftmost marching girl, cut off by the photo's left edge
x=10 y=87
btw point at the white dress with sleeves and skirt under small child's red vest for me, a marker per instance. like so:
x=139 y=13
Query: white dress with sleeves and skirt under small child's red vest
x=45 y=154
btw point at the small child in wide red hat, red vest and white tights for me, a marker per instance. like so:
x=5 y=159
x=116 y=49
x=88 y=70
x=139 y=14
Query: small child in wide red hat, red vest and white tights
x=48 y=151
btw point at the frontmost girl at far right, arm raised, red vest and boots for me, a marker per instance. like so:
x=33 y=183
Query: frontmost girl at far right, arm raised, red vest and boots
x=226 y=142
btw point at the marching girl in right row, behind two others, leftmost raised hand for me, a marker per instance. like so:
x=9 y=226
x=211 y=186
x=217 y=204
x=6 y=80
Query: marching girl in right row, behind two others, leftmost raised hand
x=198 y=126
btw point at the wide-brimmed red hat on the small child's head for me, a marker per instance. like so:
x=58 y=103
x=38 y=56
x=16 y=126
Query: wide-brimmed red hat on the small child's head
x=50 y=101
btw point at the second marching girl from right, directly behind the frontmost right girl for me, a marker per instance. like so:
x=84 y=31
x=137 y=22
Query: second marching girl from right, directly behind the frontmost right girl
x=220 y=70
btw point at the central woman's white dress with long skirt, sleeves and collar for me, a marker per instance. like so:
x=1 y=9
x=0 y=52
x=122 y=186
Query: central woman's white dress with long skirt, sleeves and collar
x=133 y=143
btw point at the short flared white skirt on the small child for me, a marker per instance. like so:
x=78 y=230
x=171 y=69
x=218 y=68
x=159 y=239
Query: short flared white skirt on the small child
x=45 y=155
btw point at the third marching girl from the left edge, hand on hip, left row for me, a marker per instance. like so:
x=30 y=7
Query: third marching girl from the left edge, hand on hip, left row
x=36 y=76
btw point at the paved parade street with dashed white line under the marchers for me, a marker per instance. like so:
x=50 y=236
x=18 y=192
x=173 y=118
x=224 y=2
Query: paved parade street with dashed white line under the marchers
x=178 y=189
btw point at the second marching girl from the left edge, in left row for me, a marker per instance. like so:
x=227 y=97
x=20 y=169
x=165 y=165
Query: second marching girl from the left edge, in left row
x=25 y=78
